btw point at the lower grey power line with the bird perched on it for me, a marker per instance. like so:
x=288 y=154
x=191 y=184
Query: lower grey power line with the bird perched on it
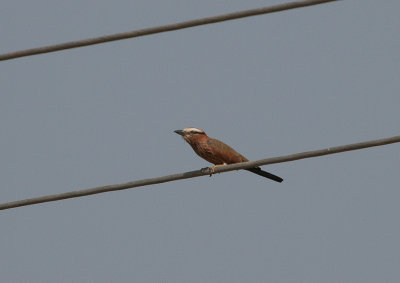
x=202 y=172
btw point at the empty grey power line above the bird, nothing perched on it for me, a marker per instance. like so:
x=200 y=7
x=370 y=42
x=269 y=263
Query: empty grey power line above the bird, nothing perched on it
x=159 y=29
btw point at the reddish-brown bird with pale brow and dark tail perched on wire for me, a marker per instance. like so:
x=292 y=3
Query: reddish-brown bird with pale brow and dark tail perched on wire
x=217 y=152
